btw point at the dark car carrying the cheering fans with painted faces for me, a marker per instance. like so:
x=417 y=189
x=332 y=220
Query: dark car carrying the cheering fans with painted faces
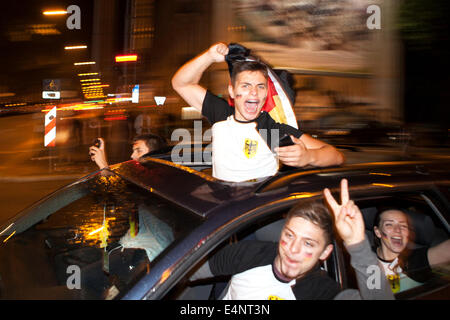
x=140 y=229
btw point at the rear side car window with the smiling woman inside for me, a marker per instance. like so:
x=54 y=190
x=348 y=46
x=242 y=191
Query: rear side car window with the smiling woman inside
x=409 y=272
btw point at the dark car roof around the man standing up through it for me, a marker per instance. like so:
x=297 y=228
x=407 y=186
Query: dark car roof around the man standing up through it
x=201 y=193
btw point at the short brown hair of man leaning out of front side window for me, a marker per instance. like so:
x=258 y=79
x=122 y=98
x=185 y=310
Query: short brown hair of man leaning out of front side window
x=316 y=213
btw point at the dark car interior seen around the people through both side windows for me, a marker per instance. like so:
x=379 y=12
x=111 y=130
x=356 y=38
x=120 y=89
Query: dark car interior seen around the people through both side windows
x=428 y=230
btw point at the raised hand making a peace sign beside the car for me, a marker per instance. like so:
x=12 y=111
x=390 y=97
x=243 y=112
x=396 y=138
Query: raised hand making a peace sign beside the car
x=348 y=218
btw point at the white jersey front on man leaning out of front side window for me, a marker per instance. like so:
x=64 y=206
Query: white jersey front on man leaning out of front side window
x=259 y=284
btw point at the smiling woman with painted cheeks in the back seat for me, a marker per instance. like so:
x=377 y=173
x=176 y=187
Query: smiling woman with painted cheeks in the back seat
x=405 y=268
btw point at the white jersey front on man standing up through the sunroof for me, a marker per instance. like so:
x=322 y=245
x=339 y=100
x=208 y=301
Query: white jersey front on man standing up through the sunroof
x=239 y=153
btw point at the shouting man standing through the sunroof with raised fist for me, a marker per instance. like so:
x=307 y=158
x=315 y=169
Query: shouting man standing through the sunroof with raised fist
x=244 y=137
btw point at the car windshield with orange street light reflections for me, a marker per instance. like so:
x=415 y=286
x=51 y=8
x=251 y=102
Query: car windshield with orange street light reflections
x=91 y=240
